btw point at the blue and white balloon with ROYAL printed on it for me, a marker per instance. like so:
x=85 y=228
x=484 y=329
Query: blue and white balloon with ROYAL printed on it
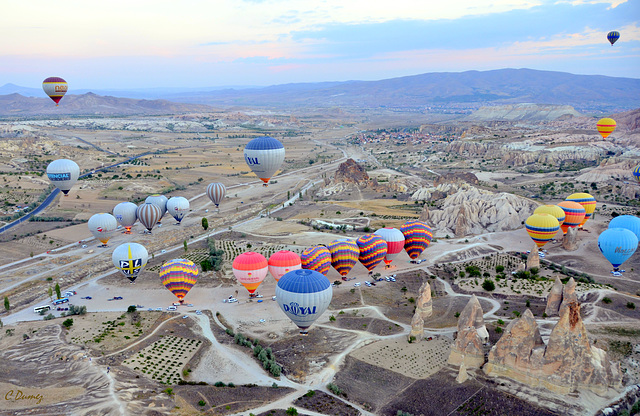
x=303 y=295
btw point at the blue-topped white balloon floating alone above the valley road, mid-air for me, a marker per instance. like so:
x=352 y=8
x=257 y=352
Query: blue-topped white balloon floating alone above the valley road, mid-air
x=264 y=155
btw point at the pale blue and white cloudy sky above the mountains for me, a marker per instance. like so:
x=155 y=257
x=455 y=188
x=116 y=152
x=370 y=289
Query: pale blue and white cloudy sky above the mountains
x=137 y=44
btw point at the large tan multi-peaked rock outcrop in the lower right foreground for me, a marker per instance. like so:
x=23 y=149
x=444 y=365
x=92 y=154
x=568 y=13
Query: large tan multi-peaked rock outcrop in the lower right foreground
x=568 y=361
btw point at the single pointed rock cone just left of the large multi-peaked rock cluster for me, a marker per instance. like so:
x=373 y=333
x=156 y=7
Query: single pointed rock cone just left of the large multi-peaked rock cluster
x=472 y=334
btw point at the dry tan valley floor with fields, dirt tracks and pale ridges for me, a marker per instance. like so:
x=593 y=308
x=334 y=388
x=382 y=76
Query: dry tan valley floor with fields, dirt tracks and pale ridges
x=474 y=181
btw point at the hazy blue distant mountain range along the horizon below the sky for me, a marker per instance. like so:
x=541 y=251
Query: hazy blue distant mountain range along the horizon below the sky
x=465 y=91
